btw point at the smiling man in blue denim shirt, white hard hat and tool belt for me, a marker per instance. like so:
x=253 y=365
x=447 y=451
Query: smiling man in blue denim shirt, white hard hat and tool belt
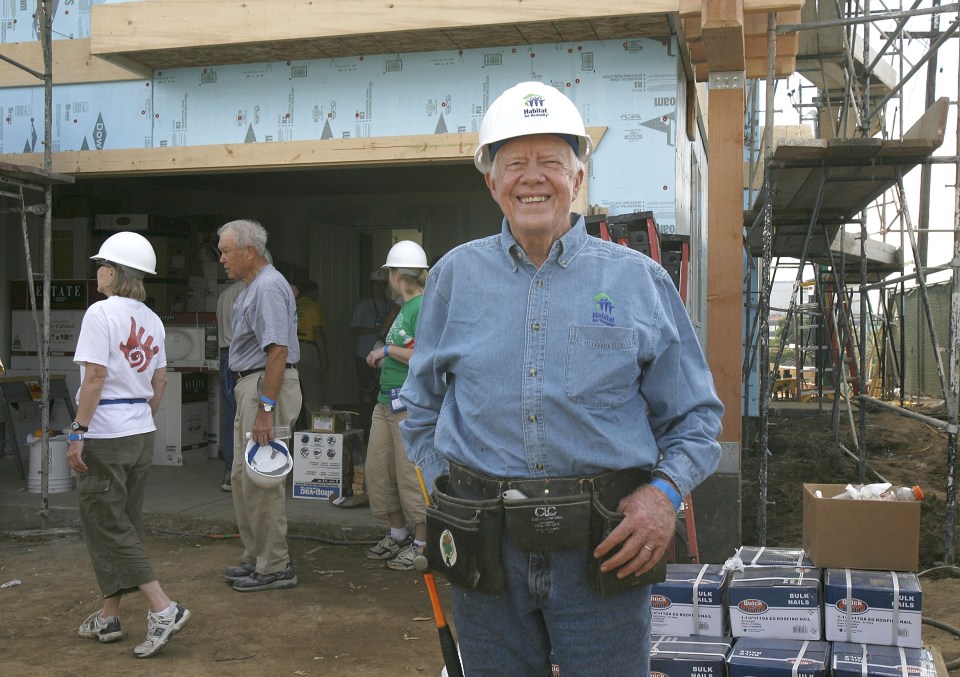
x=560 y=372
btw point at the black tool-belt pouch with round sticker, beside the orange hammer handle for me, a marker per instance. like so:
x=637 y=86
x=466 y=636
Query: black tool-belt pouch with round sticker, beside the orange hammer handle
x=463 y=540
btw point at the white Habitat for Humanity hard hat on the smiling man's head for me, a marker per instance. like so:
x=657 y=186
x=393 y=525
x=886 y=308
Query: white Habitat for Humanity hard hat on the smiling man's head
x=531 y=108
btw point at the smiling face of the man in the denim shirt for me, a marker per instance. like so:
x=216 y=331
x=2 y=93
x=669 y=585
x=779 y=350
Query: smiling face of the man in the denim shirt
x=535 y=180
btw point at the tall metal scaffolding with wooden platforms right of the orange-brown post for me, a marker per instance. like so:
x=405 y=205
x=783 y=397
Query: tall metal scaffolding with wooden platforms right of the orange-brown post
x=832 y=204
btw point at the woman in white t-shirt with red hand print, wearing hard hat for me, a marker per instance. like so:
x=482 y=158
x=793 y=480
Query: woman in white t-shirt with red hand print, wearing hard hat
x=123 y=373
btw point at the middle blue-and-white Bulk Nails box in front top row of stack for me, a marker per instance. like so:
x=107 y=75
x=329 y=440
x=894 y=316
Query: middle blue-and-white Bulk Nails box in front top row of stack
x=776 y=603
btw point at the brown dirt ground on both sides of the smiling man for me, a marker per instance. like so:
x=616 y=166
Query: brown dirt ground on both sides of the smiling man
x=349 y=616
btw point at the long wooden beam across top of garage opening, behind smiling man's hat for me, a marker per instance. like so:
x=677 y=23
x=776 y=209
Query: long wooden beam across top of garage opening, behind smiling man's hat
x=383 y=150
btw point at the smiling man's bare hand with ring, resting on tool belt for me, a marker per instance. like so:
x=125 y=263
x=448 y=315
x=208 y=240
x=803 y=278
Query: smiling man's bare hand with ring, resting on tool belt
x=649 y=521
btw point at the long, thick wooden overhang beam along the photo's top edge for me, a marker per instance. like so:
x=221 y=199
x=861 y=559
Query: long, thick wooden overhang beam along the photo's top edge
x=130 y=27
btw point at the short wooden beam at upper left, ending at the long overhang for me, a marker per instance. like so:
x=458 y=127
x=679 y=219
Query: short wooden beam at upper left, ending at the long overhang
x=72 y=64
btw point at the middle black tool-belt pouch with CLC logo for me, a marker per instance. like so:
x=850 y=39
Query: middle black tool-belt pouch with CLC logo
x=545 y=524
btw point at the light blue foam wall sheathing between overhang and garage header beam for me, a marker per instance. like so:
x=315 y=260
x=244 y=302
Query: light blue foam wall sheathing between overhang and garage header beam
x=629 y=86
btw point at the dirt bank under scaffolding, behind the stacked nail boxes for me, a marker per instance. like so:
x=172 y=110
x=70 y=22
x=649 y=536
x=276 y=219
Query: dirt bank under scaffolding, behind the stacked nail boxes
x=903 y=451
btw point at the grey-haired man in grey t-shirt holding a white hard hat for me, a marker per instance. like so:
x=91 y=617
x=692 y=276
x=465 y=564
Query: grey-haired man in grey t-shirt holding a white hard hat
x=263 y=356
